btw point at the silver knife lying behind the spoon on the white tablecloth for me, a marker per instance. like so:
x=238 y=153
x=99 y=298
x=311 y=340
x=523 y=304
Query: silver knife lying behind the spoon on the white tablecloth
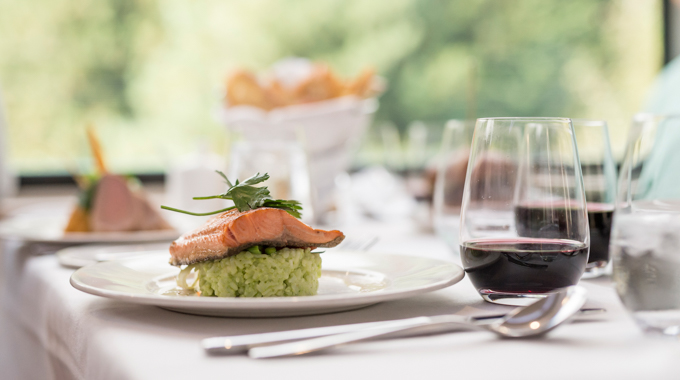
x=227 y=345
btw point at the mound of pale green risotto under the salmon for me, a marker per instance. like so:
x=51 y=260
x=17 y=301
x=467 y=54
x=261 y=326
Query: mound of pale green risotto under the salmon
x=281 y=273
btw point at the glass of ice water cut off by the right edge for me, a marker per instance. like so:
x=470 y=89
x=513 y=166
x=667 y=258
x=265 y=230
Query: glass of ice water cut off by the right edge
x=645 y=242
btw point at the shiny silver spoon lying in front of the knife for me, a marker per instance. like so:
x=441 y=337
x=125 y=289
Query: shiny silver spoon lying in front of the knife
x=533 y=320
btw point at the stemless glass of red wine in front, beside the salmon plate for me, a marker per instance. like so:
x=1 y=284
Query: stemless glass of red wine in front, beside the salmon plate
x=524 y=227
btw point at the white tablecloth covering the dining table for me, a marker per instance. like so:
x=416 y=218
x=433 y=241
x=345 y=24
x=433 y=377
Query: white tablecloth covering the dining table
x=49 y=330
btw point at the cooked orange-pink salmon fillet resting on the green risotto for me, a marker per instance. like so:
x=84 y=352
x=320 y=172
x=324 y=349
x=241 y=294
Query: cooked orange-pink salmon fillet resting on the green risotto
x=232 y=232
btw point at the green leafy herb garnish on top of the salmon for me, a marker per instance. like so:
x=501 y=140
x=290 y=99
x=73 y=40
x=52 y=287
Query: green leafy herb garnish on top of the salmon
x=247 y=197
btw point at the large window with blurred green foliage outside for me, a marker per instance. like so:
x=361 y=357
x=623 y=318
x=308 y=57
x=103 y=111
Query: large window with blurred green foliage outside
x=149 y=73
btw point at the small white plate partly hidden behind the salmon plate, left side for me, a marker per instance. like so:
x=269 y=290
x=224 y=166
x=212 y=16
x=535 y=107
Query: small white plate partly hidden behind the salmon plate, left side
x=81 y=255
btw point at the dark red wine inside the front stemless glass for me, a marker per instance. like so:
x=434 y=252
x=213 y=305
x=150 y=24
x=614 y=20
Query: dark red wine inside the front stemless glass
x=523 y=265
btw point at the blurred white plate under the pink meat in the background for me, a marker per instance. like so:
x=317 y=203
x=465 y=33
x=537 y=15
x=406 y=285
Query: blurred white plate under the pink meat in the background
x=40 y=228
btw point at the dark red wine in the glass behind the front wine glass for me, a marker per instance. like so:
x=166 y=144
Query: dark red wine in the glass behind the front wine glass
x=563 y=223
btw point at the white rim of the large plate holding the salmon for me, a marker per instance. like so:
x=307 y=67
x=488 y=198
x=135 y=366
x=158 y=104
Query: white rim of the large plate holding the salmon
x=272 y=303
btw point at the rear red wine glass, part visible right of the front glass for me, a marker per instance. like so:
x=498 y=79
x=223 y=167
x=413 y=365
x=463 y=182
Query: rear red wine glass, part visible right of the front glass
x=599 y=182
